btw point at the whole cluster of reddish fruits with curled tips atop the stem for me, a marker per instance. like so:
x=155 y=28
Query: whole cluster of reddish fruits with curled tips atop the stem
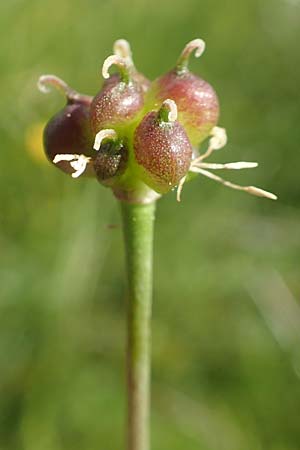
x=139 y=138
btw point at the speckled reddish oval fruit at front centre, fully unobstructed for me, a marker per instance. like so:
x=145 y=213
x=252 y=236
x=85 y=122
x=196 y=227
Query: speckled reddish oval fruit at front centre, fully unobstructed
x=162 y=148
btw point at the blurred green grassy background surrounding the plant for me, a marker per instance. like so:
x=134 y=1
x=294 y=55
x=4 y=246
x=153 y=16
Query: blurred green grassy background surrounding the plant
x=226 y=318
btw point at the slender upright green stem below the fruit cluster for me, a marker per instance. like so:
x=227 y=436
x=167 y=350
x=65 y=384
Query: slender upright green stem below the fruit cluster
x=138 y=224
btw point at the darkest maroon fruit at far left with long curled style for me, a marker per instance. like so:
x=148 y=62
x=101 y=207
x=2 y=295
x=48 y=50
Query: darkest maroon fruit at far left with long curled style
x=68 y=139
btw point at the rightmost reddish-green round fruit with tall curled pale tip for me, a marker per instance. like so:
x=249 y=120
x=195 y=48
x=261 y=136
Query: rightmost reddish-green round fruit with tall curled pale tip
x=197 y=102
